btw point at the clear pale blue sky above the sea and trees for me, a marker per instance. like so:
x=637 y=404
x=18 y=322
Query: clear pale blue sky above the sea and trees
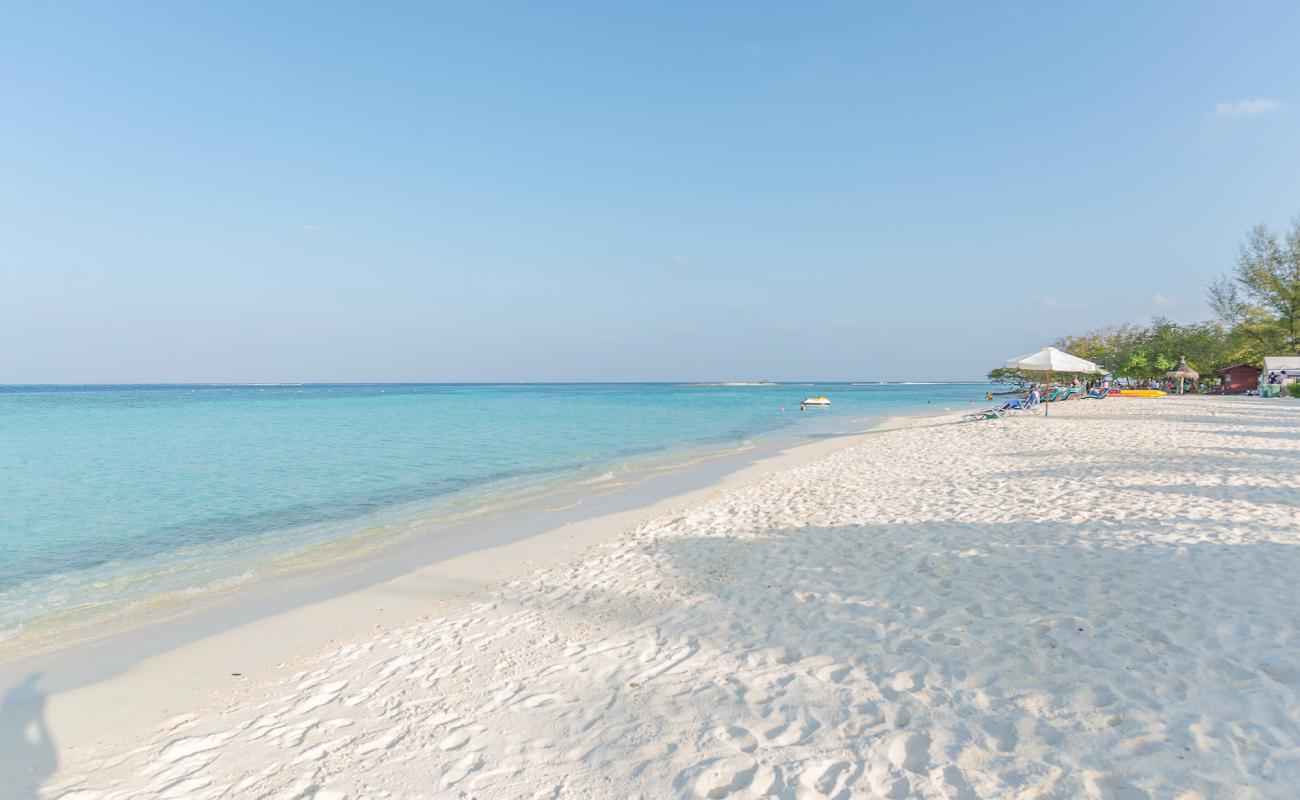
x=622 y=192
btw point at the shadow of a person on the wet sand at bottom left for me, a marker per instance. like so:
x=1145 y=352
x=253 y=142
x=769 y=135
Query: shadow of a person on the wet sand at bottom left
x=27 y=751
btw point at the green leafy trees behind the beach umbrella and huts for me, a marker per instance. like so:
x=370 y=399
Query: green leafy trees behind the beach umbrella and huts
x=1258 y=306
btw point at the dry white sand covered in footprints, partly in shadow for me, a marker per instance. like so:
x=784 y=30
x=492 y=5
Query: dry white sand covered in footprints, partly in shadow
x=1100 y=604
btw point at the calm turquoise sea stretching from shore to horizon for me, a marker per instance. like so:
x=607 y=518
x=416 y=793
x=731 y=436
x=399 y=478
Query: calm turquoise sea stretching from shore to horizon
x=118 y=496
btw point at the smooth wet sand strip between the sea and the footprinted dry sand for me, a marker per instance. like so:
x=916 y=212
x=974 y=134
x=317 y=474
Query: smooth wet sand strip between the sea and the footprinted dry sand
x=125 y=684
